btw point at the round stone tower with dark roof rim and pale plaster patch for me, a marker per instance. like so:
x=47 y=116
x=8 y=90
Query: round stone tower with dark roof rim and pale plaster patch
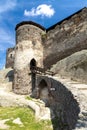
x=28 y=52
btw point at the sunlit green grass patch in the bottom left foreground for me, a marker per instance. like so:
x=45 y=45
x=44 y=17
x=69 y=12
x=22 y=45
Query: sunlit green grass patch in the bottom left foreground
x=26 y=116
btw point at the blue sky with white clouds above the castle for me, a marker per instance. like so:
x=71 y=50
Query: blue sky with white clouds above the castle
x=44 y=12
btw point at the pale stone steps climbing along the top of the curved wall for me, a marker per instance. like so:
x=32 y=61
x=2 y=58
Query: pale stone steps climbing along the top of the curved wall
x=79 y=91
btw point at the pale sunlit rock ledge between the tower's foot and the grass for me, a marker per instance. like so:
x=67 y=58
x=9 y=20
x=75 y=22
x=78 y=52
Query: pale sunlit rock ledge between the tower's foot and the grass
x=10 y=99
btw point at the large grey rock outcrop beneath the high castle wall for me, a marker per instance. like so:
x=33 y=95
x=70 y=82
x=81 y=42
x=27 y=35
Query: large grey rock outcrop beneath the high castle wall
x=74 y=66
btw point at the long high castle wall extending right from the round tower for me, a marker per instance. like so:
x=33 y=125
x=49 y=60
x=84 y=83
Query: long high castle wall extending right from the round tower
x=65 y=38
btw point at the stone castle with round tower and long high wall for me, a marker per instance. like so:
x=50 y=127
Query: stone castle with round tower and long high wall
x=37 y=46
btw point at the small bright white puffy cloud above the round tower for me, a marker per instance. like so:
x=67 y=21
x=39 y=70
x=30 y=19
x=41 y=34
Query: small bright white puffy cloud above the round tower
x=41 y=10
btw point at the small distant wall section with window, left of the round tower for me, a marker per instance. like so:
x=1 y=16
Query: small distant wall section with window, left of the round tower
x=10 y=54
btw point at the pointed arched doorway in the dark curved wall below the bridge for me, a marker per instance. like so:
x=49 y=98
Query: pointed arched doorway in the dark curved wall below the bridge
x=43 y=91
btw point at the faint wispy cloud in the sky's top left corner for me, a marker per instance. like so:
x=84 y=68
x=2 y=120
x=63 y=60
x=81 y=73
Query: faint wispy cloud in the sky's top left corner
x=7 y=5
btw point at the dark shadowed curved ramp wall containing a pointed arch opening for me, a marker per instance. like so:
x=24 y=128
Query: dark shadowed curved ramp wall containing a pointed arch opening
x=63 y=107
